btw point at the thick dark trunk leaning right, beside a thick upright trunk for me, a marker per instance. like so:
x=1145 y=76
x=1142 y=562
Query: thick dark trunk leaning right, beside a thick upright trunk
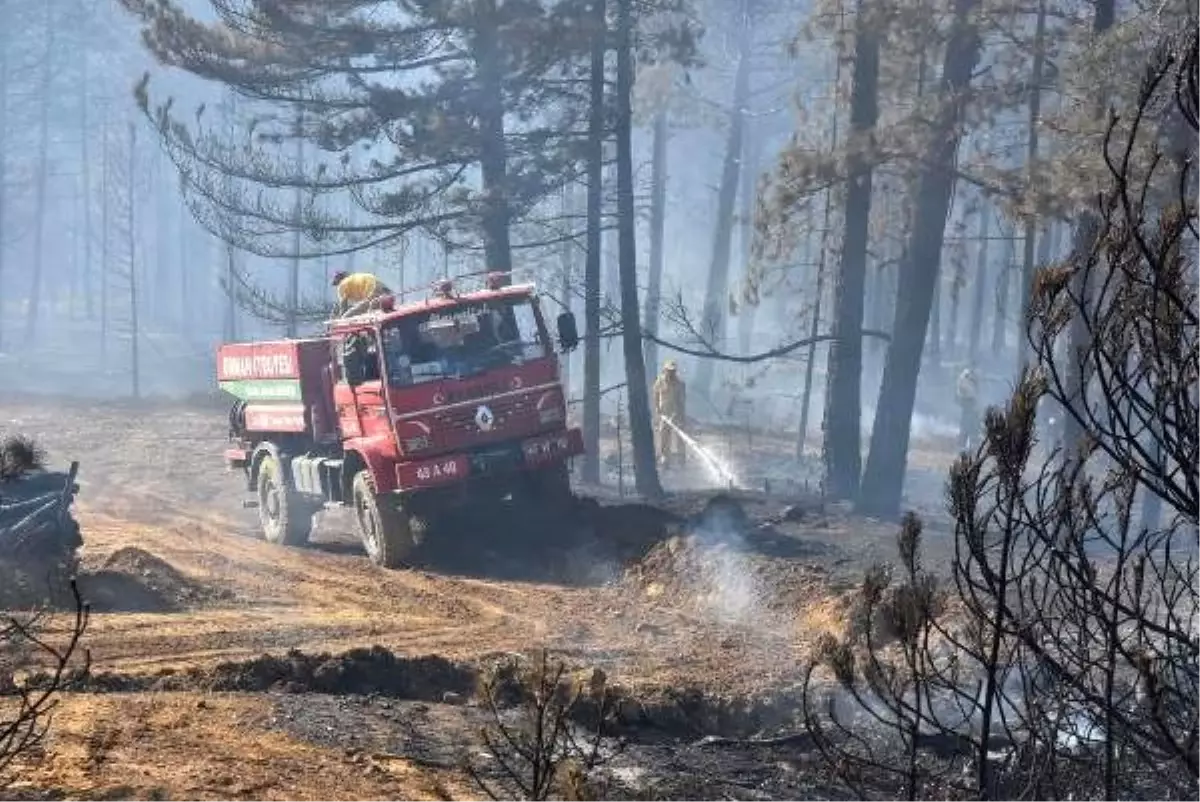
x=886 y=464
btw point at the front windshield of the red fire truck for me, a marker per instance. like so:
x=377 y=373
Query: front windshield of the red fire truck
x=463 y=342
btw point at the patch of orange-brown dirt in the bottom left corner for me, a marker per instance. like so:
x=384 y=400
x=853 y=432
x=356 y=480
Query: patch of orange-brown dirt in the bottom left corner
x=211 y=747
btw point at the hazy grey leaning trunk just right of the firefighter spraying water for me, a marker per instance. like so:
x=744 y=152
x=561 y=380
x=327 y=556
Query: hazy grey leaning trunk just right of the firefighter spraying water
x=716 y=294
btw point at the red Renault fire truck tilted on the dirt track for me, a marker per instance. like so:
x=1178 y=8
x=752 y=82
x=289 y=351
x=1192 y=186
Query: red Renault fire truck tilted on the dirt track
x=404 y=412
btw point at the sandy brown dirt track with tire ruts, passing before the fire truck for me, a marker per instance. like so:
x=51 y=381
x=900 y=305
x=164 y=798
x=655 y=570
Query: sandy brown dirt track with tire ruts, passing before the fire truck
x=153 y=481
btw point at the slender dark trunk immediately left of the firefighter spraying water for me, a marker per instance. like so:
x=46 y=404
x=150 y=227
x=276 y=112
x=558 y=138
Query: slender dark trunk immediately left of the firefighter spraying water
x=645 y=466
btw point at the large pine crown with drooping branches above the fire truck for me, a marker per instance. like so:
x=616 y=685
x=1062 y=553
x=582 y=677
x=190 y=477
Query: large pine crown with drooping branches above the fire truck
x=469 y=112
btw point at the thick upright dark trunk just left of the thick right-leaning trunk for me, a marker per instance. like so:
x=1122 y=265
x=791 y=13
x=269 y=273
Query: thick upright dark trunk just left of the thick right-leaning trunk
x=843 y=421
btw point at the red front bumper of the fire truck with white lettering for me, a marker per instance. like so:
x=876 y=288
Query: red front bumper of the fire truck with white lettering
x=494 y=462
